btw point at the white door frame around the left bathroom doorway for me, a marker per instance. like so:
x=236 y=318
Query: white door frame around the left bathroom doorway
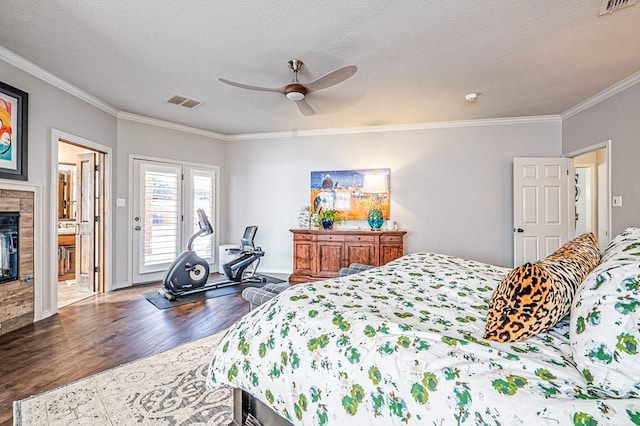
x=56 y=137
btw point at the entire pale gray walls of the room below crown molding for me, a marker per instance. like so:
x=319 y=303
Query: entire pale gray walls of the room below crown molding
x=451 y=187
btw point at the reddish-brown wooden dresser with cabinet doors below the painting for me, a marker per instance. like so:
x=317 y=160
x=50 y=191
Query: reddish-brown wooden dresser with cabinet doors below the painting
x=318 y=254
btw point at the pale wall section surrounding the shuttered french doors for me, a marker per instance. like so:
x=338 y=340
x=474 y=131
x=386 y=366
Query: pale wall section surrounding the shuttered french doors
x=162 y=143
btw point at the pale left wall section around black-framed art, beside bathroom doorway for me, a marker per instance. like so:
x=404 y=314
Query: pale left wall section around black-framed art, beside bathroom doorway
x=51 y=108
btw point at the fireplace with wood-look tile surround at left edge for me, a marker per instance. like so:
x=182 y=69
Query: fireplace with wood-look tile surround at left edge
x=16 y=293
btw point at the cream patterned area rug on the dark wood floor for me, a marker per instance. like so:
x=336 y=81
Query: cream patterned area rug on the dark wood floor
x=163 y=389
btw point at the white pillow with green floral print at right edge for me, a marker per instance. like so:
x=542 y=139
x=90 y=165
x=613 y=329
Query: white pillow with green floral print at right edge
x=605 y=320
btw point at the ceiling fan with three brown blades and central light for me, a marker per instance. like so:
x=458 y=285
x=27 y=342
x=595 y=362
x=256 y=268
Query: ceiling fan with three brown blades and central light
x=298 y=92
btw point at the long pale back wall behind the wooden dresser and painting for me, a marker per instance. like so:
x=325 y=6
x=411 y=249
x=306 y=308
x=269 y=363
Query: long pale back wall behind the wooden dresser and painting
x=451 y=188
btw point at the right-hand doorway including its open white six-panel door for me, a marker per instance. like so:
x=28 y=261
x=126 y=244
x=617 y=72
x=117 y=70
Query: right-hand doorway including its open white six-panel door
x=556 y=199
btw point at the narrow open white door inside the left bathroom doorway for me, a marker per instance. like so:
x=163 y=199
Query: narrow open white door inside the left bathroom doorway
x=86 y=222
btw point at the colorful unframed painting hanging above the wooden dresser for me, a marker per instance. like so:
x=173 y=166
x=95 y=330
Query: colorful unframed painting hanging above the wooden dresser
x=343 y=190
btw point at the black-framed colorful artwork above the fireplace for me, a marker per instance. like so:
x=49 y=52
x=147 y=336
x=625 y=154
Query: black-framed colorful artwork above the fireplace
x=13 y=132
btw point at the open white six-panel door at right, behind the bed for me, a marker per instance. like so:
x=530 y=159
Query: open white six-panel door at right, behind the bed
x=543 y=207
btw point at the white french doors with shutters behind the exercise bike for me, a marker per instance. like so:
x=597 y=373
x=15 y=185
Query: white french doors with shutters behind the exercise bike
x=165 y=198
